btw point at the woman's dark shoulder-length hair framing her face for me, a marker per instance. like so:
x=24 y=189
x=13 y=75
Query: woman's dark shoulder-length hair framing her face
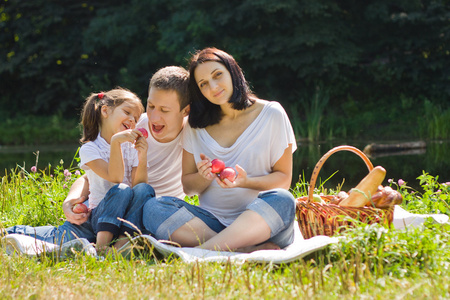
x=204 y=113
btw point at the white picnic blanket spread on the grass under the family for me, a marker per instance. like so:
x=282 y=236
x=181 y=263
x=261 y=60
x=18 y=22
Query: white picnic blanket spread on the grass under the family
x=22 y=244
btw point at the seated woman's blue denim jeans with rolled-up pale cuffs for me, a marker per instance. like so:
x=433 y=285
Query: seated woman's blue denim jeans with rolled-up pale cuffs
x=164 y=215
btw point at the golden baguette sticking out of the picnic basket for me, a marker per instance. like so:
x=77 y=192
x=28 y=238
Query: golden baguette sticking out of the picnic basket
x=360 y=195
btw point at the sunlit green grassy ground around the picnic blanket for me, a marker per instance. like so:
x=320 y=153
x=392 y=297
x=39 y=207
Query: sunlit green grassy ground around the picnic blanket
x=371 y=262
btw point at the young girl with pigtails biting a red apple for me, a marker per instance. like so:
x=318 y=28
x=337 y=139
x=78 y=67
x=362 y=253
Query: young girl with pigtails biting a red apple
x=113 y=152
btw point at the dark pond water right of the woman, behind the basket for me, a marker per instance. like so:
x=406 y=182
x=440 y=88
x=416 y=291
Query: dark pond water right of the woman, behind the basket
x=406 y=165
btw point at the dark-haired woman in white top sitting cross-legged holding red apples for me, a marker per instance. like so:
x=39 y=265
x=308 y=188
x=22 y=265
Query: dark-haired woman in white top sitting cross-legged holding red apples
x=252 y=135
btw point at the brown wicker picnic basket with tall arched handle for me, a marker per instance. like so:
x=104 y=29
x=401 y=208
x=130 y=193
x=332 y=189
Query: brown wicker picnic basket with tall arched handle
x=315 y=218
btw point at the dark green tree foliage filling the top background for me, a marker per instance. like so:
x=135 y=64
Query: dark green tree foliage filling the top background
x=55 y=52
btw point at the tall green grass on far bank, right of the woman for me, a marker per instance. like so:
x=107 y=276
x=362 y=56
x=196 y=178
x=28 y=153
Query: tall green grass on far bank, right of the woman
x=318 y=117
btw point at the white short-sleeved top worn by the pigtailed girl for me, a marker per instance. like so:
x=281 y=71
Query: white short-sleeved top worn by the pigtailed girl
x=100 y=149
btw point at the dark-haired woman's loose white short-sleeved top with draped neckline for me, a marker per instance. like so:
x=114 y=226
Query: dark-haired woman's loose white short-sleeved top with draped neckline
x=257 y=150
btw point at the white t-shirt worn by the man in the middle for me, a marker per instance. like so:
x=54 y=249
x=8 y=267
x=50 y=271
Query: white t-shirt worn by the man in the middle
x=164 y=163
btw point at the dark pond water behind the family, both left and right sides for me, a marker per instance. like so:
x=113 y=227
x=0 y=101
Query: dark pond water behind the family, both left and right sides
x=434 y=159
